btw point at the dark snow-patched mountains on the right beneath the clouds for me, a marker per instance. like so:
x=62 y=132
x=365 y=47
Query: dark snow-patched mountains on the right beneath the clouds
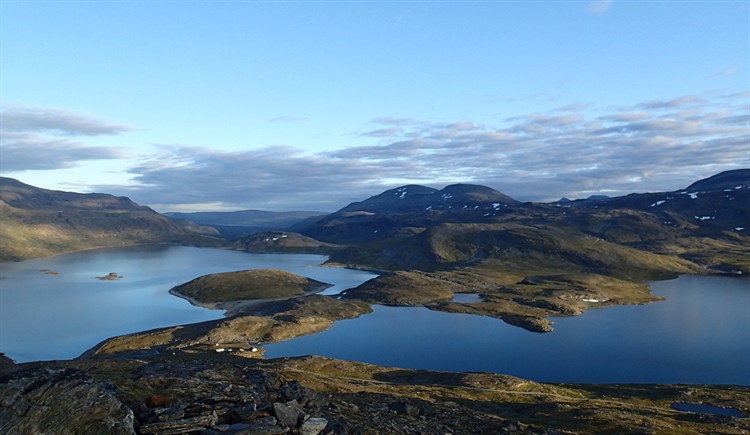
x=709 y=207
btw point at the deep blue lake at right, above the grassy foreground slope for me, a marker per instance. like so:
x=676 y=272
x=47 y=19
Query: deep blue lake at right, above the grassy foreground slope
x=700 y=334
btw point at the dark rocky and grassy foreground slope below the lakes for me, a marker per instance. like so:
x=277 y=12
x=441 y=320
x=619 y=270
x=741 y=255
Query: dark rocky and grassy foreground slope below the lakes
x=228 y=394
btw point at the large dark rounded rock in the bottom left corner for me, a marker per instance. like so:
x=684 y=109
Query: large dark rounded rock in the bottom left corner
x=60 y=401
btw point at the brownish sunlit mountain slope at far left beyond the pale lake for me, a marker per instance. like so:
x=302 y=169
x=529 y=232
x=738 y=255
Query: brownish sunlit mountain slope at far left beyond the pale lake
x=37 y=222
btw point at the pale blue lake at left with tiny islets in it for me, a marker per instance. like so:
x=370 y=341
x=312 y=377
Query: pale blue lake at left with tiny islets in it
x=45 y=316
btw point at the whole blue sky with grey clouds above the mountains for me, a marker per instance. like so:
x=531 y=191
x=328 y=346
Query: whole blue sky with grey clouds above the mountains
x=310 y=105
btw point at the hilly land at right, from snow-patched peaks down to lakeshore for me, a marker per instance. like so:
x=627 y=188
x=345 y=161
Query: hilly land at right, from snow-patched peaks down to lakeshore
x=532 y=261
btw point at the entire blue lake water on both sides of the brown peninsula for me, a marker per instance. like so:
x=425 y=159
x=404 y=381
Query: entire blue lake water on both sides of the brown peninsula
x=700 y=334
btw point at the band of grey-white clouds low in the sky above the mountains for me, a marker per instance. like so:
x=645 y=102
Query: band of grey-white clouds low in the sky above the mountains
x=573 y=151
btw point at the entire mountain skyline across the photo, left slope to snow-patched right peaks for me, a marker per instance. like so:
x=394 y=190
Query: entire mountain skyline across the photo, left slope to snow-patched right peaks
x=38 y=222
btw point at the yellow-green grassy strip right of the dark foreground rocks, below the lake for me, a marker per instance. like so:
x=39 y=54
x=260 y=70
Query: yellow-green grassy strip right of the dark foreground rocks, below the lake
x=571 y=408
